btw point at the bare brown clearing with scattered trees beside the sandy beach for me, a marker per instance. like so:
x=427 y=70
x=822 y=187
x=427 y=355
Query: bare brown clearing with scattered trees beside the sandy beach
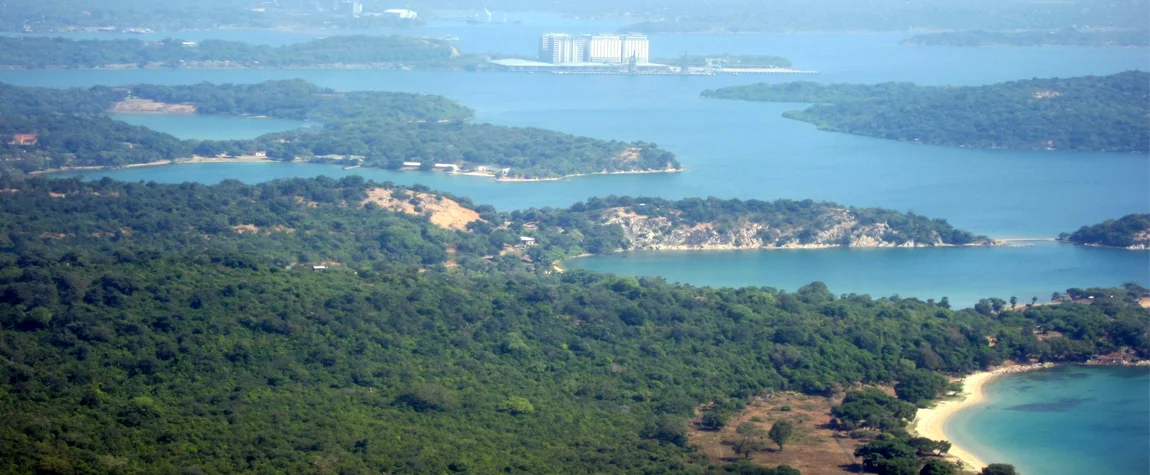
x=814 y=450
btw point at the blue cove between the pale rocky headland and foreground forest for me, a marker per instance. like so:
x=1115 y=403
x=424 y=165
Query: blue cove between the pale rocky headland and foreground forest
x=962 y=274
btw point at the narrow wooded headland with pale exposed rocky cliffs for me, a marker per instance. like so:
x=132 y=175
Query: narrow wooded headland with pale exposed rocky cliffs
x=603 y=226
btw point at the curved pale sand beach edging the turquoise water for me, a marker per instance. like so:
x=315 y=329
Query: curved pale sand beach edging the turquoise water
x=930 y=423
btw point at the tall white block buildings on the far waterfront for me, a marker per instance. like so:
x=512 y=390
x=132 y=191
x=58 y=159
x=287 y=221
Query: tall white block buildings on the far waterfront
x=564 y=49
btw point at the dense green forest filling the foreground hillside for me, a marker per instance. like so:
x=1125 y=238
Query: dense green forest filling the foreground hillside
x=141 y=333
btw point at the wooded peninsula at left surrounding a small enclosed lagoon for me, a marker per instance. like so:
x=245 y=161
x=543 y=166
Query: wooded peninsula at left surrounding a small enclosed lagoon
x=45 y=129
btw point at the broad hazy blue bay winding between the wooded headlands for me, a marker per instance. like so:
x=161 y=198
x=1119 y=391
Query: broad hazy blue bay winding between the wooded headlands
x=746 y=150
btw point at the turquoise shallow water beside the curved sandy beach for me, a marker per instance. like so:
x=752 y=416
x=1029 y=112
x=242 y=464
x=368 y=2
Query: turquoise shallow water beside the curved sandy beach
x=1064 y=422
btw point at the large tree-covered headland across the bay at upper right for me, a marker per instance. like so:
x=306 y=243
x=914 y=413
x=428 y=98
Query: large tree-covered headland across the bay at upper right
x=1091 y=113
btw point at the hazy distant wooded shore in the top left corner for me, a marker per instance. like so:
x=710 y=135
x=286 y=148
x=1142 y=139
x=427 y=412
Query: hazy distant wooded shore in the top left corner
x=173 y=16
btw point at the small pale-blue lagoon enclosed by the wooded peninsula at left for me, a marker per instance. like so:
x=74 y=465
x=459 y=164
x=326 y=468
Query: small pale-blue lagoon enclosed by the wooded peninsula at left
x=209 y=127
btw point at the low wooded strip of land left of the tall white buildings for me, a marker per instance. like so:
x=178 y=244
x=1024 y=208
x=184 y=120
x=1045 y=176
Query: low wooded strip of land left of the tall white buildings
x=43 y=52
